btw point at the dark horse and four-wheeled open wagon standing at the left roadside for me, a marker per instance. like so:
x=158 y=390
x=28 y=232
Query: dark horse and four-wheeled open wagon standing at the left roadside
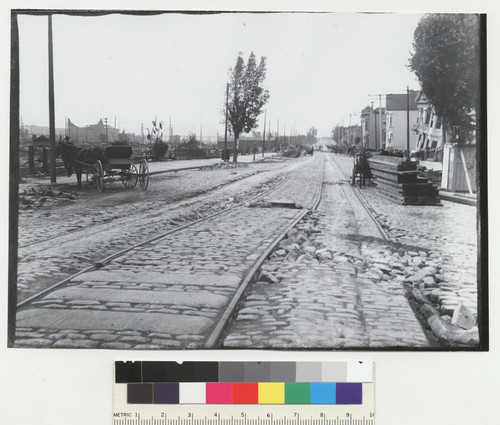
x=103 y=167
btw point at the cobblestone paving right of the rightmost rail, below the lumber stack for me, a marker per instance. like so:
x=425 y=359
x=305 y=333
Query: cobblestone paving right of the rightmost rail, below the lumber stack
x=448 y=233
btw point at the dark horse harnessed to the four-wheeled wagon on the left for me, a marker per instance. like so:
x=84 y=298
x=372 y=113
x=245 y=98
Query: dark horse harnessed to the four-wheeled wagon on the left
x=75 y=158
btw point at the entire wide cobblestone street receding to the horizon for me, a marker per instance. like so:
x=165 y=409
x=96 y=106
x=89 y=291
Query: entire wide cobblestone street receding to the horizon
x=339 y=278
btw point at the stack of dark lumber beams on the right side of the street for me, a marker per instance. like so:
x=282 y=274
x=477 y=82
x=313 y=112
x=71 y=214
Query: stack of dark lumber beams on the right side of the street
x=398 y=180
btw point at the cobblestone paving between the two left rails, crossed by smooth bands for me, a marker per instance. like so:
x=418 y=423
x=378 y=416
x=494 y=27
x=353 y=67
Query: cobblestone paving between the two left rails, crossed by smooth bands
x=168 y=294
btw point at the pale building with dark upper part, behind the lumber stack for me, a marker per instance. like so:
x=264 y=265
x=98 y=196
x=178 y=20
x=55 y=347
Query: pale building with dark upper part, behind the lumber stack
x=396 y=120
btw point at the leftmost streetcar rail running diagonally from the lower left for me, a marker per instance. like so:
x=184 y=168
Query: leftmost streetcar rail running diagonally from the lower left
x=101 y=263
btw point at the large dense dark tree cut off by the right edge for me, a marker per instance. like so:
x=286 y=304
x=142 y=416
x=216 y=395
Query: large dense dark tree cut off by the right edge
x=446 y=62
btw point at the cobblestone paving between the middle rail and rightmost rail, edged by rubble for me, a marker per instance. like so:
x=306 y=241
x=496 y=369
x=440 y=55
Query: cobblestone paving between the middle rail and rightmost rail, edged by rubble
x=333 y=295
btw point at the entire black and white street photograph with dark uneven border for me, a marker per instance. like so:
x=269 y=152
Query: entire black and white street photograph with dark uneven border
x=242 y=180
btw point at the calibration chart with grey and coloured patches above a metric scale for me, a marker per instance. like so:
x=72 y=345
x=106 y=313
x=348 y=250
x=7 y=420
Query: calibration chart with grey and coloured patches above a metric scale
x=243 y=393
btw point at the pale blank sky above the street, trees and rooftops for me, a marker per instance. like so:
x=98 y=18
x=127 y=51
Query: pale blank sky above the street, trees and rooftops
x=321 y=67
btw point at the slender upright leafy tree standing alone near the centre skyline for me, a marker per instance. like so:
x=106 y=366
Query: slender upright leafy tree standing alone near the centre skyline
x=246 y=96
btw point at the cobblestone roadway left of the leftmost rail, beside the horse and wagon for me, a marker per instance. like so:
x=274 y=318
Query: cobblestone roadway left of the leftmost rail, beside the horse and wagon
x=107 y=228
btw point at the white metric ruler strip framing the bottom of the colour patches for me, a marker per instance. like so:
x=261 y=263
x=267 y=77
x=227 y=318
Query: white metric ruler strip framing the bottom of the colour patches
x=235 y=414
